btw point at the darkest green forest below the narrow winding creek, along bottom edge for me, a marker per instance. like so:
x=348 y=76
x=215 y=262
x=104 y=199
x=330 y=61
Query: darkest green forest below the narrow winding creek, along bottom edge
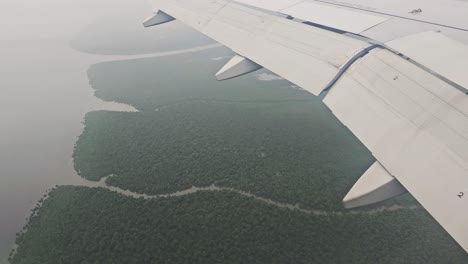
x=85 y=225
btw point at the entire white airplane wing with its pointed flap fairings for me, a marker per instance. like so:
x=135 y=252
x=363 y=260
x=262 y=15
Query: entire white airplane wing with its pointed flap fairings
x=395 y=75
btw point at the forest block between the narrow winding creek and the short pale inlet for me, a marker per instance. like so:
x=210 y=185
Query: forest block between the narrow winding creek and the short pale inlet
x=280 y=151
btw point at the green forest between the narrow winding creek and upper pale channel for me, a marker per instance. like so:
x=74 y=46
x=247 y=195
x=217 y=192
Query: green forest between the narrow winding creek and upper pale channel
x=261 y=137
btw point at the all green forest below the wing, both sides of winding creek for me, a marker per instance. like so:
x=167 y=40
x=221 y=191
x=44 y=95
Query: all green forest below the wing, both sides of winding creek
x=262 y=137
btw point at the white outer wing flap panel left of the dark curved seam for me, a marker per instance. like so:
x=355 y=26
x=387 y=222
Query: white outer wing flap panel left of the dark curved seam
x=285 y=47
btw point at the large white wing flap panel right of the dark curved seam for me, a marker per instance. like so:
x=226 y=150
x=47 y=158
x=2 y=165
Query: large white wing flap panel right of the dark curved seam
x=416 y=126
